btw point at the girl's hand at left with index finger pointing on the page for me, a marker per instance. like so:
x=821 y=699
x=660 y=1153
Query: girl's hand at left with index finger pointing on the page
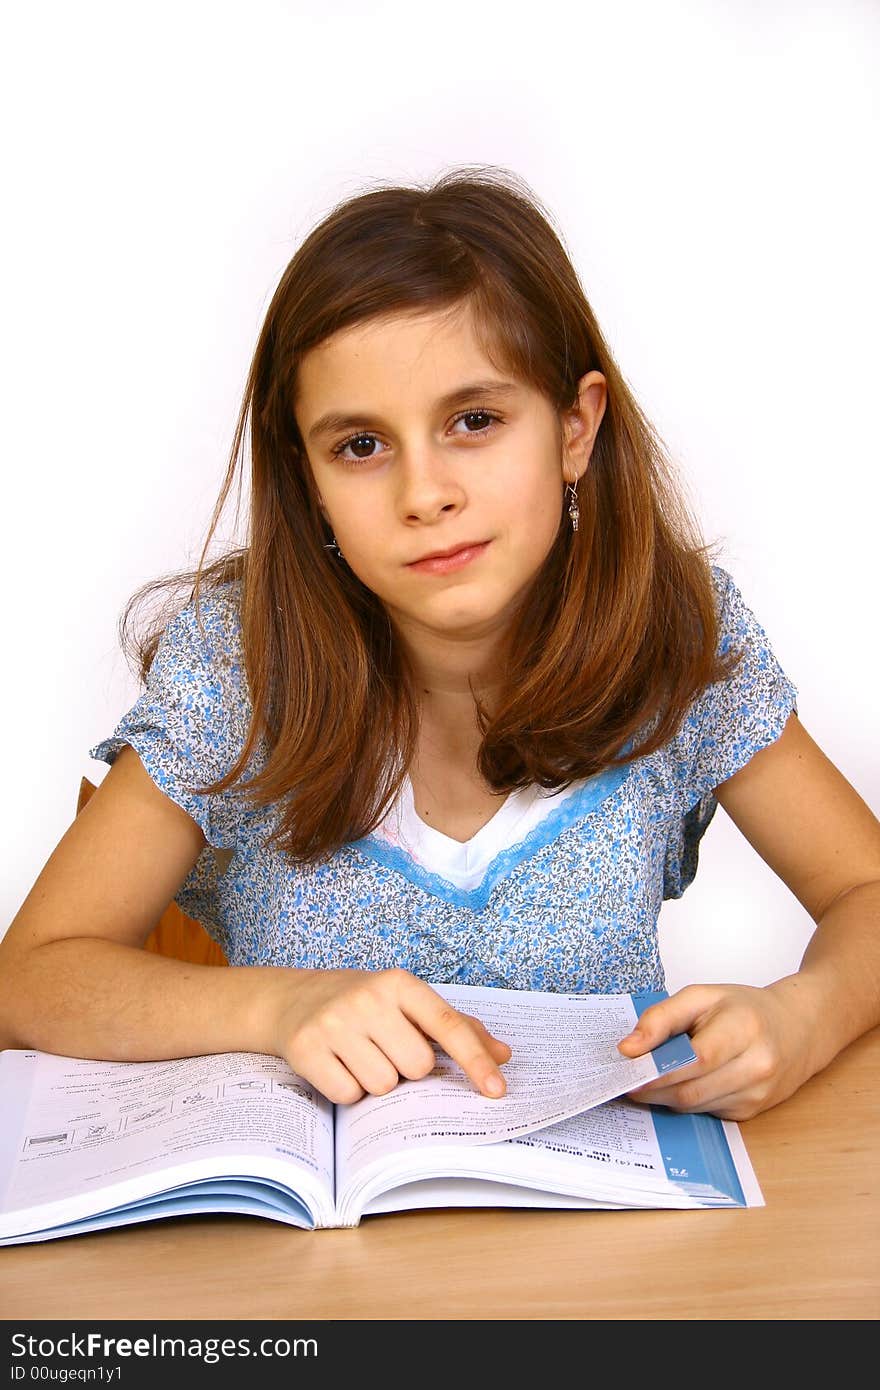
x=357 y=1032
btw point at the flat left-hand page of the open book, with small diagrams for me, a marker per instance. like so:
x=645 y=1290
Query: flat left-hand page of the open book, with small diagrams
x=76 y=1127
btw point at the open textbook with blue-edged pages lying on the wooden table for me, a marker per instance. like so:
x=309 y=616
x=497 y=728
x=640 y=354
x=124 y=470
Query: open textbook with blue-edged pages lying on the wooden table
x=88 y=1145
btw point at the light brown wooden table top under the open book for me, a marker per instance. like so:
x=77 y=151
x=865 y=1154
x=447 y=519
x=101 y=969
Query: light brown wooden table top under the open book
x=813 y=1253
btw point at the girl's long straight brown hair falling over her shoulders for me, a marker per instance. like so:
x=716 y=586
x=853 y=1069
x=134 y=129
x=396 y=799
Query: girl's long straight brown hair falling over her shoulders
x=619 y=630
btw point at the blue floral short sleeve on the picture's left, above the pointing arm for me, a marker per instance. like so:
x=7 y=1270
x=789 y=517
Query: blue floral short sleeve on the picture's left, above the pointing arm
x=188 y=725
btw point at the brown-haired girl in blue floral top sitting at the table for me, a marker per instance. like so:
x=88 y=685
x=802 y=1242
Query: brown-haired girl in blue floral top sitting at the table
x=462 y=710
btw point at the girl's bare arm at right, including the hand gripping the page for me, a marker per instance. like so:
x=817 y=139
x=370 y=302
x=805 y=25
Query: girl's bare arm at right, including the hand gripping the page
x=757 y=1046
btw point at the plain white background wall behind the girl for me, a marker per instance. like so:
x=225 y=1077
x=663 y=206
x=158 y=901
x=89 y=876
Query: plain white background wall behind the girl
x=712 y=167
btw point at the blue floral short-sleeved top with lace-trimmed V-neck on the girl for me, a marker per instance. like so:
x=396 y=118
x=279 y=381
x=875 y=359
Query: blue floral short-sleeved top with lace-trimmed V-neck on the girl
x=555 y=893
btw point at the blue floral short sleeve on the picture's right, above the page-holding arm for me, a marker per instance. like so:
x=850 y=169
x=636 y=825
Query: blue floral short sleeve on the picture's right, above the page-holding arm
x=724 y=729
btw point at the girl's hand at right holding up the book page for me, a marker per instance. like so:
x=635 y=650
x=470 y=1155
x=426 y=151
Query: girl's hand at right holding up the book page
x=753 y=1047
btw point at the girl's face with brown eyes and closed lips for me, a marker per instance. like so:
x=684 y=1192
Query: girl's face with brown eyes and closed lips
x=430 y=450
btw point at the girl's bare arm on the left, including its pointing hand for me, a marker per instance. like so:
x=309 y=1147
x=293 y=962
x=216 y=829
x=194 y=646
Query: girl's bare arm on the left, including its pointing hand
x=76 y=979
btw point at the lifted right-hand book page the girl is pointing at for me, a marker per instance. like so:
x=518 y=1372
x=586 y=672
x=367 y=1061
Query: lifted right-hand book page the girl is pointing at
x=565 y=1061
